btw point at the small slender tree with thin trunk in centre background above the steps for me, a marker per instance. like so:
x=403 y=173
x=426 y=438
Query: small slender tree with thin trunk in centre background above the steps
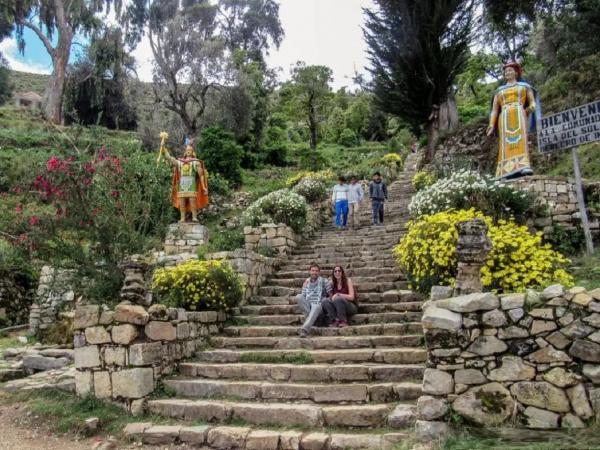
x=310 y=95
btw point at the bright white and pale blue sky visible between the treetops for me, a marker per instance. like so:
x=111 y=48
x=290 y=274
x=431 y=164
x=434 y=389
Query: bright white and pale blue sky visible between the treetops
x=325 y=32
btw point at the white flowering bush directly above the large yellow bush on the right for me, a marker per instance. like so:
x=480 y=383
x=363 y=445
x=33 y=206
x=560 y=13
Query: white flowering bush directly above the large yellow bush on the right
x=469 y=189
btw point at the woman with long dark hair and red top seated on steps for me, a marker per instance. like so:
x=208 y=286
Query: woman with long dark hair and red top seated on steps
x=342 y=303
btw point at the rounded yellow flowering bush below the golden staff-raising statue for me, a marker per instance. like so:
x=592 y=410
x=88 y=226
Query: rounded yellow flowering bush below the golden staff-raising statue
x=199 y=285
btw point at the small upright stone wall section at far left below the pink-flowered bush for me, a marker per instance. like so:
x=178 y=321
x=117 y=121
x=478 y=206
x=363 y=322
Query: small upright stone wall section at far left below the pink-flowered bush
x=54 y=294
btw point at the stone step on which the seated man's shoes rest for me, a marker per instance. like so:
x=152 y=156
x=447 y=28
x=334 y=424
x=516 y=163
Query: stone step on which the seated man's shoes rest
x=355 y=330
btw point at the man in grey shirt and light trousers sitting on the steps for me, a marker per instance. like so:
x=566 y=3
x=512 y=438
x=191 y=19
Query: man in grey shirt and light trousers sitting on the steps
x=315 y=291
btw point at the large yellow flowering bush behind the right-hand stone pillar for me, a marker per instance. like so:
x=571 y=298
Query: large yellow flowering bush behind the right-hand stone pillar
x=518 y=259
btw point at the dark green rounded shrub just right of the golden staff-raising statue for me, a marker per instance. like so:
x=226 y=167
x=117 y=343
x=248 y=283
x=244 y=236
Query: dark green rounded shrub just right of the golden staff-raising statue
x=221 y=154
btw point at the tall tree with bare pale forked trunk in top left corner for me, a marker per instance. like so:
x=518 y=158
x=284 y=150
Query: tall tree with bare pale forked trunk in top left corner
x=60 y=19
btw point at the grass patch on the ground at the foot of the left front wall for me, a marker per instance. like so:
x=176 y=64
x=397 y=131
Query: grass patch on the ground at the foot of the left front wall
x=65 y=413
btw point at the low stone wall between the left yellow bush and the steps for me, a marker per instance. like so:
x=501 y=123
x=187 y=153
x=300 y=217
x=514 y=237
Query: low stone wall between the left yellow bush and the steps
x=252 y=268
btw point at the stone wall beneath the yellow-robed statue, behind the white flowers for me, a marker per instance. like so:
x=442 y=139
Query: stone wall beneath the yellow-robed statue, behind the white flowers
x=558 y=193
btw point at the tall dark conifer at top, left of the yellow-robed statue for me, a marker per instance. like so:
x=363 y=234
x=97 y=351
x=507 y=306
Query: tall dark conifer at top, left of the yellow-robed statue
x=416 y=49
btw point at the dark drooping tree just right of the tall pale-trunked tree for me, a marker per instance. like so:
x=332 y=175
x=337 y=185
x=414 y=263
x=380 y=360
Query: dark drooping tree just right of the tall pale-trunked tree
x=96 y=90
